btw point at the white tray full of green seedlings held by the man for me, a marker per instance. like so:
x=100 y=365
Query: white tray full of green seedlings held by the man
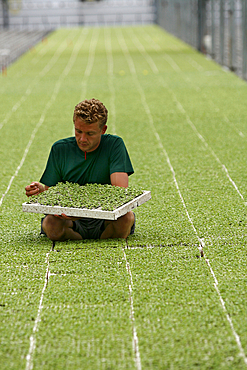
x=90 y=200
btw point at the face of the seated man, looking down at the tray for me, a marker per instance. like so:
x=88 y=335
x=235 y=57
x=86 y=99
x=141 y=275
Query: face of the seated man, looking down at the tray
x=88 y=136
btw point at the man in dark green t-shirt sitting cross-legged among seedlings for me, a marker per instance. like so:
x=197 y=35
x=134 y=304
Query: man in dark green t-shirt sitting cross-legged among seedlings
x=90 y=157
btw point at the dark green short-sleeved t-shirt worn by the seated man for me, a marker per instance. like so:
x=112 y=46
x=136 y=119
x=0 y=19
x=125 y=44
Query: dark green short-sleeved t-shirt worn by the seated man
x=67 y=162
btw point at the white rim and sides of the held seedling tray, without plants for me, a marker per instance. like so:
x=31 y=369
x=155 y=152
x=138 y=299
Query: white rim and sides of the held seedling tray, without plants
x=91 y=213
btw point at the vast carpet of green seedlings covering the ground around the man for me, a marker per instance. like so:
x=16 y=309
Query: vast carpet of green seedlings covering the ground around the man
x=153 y=302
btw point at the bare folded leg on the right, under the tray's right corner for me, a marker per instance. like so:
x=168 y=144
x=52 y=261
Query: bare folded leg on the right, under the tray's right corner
x=119 y=228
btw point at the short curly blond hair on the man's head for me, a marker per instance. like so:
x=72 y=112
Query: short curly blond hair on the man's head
x=91 y=111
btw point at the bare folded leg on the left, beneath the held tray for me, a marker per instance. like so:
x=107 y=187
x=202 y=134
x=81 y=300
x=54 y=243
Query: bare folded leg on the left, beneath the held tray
x=58 y=229
